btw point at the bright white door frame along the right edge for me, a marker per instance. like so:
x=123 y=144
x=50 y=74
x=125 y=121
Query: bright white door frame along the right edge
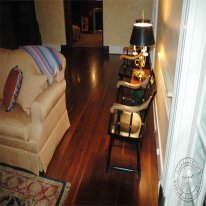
x=190 y=56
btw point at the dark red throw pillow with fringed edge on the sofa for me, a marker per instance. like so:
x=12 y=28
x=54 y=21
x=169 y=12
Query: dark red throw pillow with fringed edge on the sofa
x=12 y=88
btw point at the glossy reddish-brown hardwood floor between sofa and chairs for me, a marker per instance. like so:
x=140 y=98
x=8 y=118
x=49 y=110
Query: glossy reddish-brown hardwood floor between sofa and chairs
x=81 y=155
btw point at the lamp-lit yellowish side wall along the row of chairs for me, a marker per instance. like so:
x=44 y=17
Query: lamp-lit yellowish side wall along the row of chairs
x=168 y=26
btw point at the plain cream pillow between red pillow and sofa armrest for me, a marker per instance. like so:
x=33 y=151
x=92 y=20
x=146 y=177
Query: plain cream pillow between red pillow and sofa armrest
x=33 y=85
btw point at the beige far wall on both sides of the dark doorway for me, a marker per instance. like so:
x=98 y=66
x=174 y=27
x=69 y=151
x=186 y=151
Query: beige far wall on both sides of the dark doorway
x=118 y=19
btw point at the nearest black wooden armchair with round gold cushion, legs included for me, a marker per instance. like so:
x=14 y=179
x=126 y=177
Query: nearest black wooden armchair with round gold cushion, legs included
x=128 y=124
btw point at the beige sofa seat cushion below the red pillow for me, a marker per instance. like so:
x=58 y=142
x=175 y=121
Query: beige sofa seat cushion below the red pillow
x=15 y=124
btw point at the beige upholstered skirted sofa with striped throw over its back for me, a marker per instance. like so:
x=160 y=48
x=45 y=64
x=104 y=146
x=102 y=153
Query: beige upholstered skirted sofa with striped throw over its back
x=30 y=133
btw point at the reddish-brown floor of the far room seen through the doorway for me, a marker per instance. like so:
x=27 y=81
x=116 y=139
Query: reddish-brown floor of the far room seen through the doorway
x=89 y=40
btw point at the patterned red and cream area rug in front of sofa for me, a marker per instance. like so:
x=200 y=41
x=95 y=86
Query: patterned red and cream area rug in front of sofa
x=18 y=187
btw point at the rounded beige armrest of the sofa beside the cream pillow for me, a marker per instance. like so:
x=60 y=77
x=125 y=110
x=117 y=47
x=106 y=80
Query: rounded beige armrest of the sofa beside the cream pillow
x=44 y=103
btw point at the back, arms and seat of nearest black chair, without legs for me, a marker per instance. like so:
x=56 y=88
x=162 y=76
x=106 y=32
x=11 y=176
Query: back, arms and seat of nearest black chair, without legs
x=130 y=121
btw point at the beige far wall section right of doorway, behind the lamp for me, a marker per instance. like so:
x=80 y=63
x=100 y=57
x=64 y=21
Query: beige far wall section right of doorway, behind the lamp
x=118 y=19
